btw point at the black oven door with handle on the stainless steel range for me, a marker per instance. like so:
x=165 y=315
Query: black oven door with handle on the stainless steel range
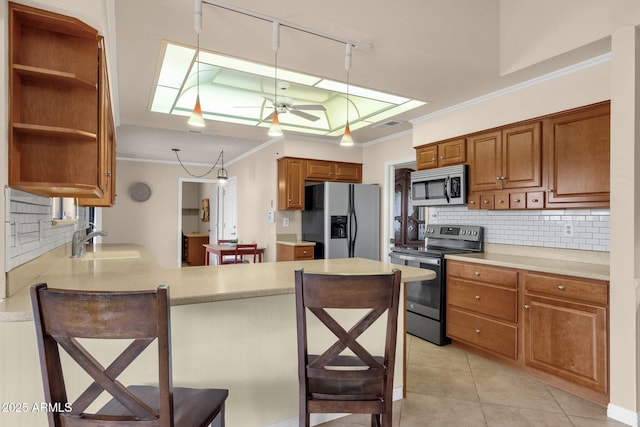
x=424 y=297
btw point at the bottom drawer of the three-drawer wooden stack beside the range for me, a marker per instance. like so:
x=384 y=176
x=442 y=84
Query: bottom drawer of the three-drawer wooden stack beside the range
x=491 y=335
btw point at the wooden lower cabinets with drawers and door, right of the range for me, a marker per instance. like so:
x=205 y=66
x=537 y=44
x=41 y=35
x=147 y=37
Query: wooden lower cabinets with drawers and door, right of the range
x=552 y=327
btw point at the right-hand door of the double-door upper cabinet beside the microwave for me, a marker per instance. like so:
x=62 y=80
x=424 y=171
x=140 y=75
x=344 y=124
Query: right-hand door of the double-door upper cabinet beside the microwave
x=521 y=157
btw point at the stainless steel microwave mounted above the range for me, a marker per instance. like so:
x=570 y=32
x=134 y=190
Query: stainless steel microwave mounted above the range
x=439 y=187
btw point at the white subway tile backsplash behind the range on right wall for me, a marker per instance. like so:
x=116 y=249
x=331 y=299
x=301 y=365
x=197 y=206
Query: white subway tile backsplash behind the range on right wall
x=584 y=229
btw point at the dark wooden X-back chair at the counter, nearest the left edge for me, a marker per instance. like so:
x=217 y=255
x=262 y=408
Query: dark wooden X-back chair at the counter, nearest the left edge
x=64 y=317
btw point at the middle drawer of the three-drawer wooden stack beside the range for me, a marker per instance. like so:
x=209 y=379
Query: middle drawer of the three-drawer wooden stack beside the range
x=493 y=301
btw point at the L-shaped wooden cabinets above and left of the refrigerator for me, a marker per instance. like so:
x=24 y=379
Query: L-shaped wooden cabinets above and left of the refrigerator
x=293 y=172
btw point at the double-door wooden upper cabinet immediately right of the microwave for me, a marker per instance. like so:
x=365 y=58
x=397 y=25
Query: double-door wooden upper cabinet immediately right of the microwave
x=506 y=159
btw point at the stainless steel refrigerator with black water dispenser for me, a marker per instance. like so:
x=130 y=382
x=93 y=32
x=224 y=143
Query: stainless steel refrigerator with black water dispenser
x=343 y=219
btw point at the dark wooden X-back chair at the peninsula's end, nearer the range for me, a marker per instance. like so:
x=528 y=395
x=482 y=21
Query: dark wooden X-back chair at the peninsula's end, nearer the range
x=357 y=382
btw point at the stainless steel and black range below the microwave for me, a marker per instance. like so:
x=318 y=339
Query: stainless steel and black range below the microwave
x=426 y=300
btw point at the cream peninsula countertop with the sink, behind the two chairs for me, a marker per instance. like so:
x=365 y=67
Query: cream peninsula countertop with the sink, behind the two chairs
x=109 y=269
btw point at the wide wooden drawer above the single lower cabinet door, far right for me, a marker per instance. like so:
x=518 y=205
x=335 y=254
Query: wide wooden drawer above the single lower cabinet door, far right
x=567 y=287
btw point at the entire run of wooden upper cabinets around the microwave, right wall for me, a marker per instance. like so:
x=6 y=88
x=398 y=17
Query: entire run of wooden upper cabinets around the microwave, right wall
x=556 y=161
